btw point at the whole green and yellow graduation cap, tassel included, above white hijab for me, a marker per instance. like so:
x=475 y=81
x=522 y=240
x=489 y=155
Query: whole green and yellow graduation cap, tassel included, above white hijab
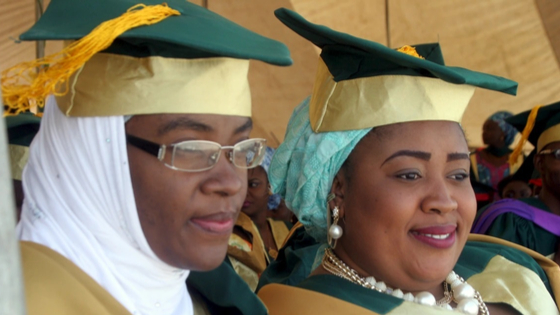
x=131 y=58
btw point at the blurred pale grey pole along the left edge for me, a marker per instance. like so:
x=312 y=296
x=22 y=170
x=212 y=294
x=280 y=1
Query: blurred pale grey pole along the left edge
x=12 y=300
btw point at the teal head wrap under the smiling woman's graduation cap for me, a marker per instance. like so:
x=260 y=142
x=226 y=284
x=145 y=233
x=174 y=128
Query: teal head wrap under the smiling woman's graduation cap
x=304 y=166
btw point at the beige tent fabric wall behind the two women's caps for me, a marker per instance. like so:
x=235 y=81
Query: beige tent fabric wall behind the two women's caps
x=515 y=39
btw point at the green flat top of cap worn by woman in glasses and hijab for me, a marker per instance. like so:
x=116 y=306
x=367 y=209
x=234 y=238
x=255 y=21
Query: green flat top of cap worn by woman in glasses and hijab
x=196 y=33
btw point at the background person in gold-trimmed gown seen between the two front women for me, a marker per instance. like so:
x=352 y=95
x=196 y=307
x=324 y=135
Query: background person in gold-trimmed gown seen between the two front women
x=256 y=238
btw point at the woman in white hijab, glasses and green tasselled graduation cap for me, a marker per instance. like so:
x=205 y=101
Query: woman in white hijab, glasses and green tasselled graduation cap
x=139 y=170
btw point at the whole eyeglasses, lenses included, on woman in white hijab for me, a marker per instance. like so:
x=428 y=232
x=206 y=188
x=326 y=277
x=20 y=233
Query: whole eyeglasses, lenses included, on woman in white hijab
x=201 y=155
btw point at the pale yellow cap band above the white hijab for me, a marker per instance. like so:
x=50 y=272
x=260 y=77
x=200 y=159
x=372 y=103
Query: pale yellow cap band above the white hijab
x=113 y=85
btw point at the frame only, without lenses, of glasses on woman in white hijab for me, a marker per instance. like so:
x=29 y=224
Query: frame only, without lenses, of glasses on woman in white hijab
x=158 y=150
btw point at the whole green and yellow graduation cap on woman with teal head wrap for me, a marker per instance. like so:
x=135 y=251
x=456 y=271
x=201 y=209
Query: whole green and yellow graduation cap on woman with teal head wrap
x=362 y=84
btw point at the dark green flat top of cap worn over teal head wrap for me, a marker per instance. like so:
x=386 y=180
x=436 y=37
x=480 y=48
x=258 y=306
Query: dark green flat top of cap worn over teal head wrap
x=372 y=58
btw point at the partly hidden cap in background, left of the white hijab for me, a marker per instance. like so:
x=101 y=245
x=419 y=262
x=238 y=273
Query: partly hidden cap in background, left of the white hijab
x=22 y=129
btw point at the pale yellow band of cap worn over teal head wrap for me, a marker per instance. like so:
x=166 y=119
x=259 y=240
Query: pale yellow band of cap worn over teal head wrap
x=383 y=100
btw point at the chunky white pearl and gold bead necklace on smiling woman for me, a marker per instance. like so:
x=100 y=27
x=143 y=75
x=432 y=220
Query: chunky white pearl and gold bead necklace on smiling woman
x=455 y=288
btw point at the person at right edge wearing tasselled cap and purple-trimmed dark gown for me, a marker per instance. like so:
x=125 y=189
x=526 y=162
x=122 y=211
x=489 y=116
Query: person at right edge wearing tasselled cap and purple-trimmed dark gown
x=532 y=222
